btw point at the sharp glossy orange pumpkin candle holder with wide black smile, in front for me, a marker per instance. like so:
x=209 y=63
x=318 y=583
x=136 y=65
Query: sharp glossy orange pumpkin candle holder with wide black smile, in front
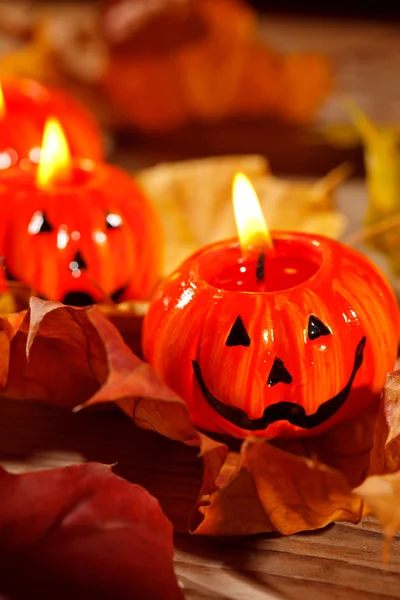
x=288 y=357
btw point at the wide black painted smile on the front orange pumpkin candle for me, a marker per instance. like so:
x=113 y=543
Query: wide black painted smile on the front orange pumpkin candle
x=282 y=411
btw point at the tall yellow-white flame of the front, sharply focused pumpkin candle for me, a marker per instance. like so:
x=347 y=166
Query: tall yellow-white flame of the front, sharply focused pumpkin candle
x=252 y=228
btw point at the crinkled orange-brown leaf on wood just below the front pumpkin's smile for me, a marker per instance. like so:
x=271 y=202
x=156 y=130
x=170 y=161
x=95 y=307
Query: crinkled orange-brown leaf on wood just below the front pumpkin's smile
x=267 y=489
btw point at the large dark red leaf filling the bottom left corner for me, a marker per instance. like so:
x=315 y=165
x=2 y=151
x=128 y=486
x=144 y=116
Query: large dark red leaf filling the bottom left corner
x=80 y=532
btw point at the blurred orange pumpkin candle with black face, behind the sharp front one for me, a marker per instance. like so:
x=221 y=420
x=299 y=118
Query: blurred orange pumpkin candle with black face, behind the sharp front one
x=128 y=256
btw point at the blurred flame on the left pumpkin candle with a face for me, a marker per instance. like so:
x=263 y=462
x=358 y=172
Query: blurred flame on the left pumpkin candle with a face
x=55 y=158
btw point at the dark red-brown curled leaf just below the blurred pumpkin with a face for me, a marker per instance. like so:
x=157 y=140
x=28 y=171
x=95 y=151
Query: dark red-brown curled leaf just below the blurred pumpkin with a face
x=56 y=355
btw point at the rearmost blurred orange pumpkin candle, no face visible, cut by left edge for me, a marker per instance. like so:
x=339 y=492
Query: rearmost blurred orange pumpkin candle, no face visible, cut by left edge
x=27 y=106
